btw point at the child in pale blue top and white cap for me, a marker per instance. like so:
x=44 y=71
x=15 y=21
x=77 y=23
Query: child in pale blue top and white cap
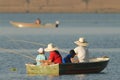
x=41 y=56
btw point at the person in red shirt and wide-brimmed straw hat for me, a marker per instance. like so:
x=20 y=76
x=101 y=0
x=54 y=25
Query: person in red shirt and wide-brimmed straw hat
x=54 y=56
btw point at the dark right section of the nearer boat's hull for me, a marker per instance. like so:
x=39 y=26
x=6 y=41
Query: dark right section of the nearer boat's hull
x=82 y=68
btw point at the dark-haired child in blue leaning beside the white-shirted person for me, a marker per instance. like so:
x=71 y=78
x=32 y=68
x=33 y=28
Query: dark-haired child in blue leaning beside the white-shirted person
x=69 y=58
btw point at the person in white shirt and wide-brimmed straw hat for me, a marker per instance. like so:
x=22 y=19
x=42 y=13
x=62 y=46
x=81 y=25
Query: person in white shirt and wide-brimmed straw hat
x=82 y=50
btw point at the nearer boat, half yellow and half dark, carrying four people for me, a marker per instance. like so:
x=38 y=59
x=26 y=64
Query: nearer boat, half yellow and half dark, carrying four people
x=95 y=65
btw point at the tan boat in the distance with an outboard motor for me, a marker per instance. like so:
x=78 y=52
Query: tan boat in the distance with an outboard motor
x=33 y=25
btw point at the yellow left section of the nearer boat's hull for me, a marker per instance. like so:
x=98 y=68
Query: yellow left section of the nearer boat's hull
x=42 y=70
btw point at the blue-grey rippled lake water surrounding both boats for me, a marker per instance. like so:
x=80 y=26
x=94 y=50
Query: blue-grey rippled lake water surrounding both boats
x=17 y=45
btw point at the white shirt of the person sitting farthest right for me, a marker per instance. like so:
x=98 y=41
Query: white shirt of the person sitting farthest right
x=82 y=53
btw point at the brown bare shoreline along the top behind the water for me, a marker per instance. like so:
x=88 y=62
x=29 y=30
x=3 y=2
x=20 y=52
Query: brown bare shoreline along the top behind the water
x=62 y=6
